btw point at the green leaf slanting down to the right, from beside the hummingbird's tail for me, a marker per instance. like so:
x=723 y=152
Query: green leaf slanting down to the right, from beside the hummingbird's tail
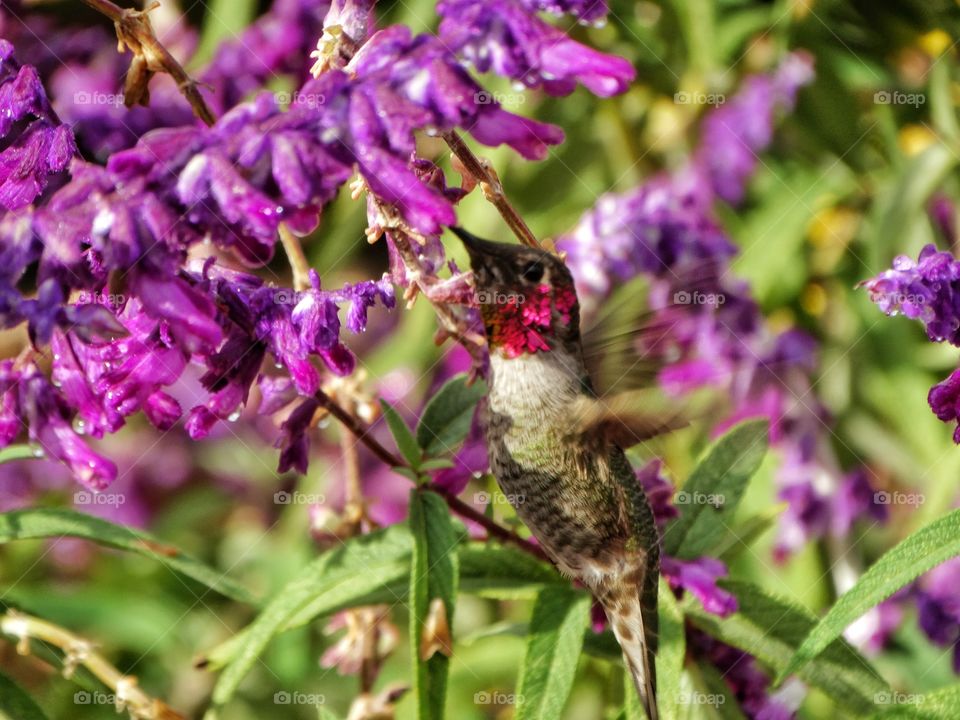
x=771 y=628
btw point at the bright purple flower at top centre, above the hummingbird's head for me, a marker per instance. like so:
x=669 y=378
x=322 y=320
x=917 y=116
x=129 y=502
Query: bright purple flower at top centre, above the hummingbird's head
x=508 y=38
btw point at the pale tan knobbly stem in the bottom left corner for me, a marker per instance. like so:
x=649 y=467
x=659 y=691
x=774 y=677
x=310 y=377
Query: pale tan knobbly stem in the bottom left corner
x=78 y=651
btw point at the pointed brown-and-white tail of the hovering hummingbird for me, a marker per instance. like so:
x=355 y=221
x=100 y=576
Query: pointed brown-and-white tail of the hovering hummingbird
x=631 y=608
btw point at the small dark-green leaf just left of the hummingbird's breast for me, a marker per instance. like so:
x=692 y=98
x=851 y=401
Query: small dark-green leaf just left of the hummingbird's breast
x=447 y=417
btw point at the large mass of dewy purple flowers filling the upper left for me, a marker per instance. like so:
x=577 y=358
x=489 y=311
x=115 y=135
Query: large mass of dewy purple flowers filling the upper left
x=134 y=254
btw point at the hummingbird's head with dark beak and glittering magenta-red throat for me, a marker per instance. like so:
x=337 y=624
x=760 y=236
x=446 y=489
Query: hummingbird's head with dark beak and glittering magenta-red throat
x=526 y=296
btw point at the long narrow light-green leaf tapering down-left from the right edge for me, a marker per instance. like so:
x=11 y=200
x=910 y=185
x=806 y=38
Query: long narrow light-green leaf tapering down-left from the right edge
x=898 y=567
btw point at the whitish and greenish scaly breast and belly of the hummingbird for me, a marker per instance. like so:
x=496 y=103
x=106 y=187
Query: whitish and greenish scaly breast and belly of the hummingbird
x=561 y=488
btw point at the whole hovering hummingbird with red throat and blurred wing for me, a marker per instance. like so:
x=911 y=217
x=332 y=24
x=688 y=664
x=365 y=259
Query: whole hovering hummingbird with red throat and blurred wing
x=556 y=447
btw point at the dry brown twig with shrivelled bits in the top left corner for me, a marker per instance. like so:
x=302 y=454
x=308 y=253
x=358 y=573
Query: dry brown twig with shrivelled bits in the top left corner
x=134 y=31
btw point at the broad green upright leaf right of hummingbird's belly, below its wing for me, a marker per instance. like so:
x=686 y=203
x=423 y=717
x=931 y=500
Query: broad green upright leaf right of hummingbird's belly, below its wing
x=709 y=498
